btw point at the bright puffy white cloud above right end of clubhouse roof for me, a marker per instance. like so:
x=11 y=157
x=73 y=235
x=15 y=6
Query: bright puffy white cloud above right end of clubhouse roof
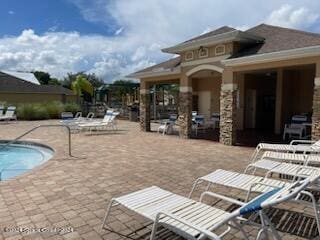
x=288 y=16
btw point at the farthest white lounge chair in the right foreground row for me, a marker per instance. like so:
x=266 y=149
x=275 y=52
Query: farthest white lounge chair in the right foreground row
x=295 y=146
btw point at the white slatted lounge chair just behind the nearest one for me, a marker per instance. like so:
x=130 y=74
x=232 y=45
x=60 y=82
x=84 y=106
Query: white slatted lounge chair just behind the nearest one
x=256 y=184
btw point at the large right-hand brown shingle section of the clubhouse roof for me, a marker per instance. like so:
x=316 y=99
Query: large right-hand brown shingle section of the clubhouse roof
x=279 y=39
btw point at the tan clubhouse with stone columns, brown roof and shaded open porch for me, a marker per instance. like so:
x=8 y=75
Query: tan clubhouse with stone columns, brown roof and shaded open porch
x=254 y=82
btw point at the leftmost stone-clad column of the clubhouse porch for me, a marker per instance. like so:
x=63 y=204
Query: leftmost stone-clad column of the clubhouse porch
x=144 y=106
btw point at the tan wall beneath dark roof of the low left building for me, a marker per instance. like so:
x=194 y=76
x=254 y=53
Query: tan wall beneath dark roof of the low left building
x=35 y=98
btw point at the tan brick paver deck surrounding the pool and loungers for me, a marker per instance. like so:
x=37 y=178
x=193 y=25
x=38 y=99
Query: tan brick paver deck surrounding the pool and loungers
x=74 y=192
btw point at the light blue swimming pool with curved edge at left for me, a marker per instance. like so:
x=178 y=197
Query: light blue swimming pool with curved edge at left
x=19 y=158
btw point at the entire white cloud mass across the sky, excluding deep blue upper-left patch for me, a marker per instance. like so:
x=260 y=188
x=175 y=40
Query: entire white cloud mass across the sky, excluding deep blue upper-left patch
x=140 y=29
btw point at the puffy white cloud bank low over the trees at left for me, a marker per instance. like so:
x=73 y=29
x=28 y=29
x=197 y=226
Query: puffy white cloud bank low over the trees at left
x=60 y=53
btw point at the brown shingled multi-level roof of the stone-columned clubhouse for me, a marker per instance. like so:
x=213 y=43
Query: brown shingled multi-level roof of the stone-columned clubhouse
x=262 y=39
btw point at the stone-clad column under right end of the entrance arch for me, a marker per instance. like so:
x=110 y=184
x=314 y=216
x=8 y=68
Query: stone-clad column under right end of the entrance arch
x=228 y=109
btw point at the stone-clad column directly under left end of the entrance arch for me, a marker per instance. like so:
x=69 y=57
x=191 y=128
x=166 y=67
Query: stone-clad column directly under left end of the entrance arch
x=185 y=108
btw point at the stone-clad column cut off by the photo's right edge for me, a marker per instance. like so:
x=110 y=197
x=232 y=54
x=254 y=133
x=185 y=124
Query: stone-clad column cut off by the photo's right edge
x=316 y=105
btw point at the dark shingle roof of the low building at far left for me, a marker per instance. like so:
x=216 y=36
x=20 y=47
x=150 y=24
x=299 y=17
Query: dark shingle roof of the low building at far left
x=12 y=84
